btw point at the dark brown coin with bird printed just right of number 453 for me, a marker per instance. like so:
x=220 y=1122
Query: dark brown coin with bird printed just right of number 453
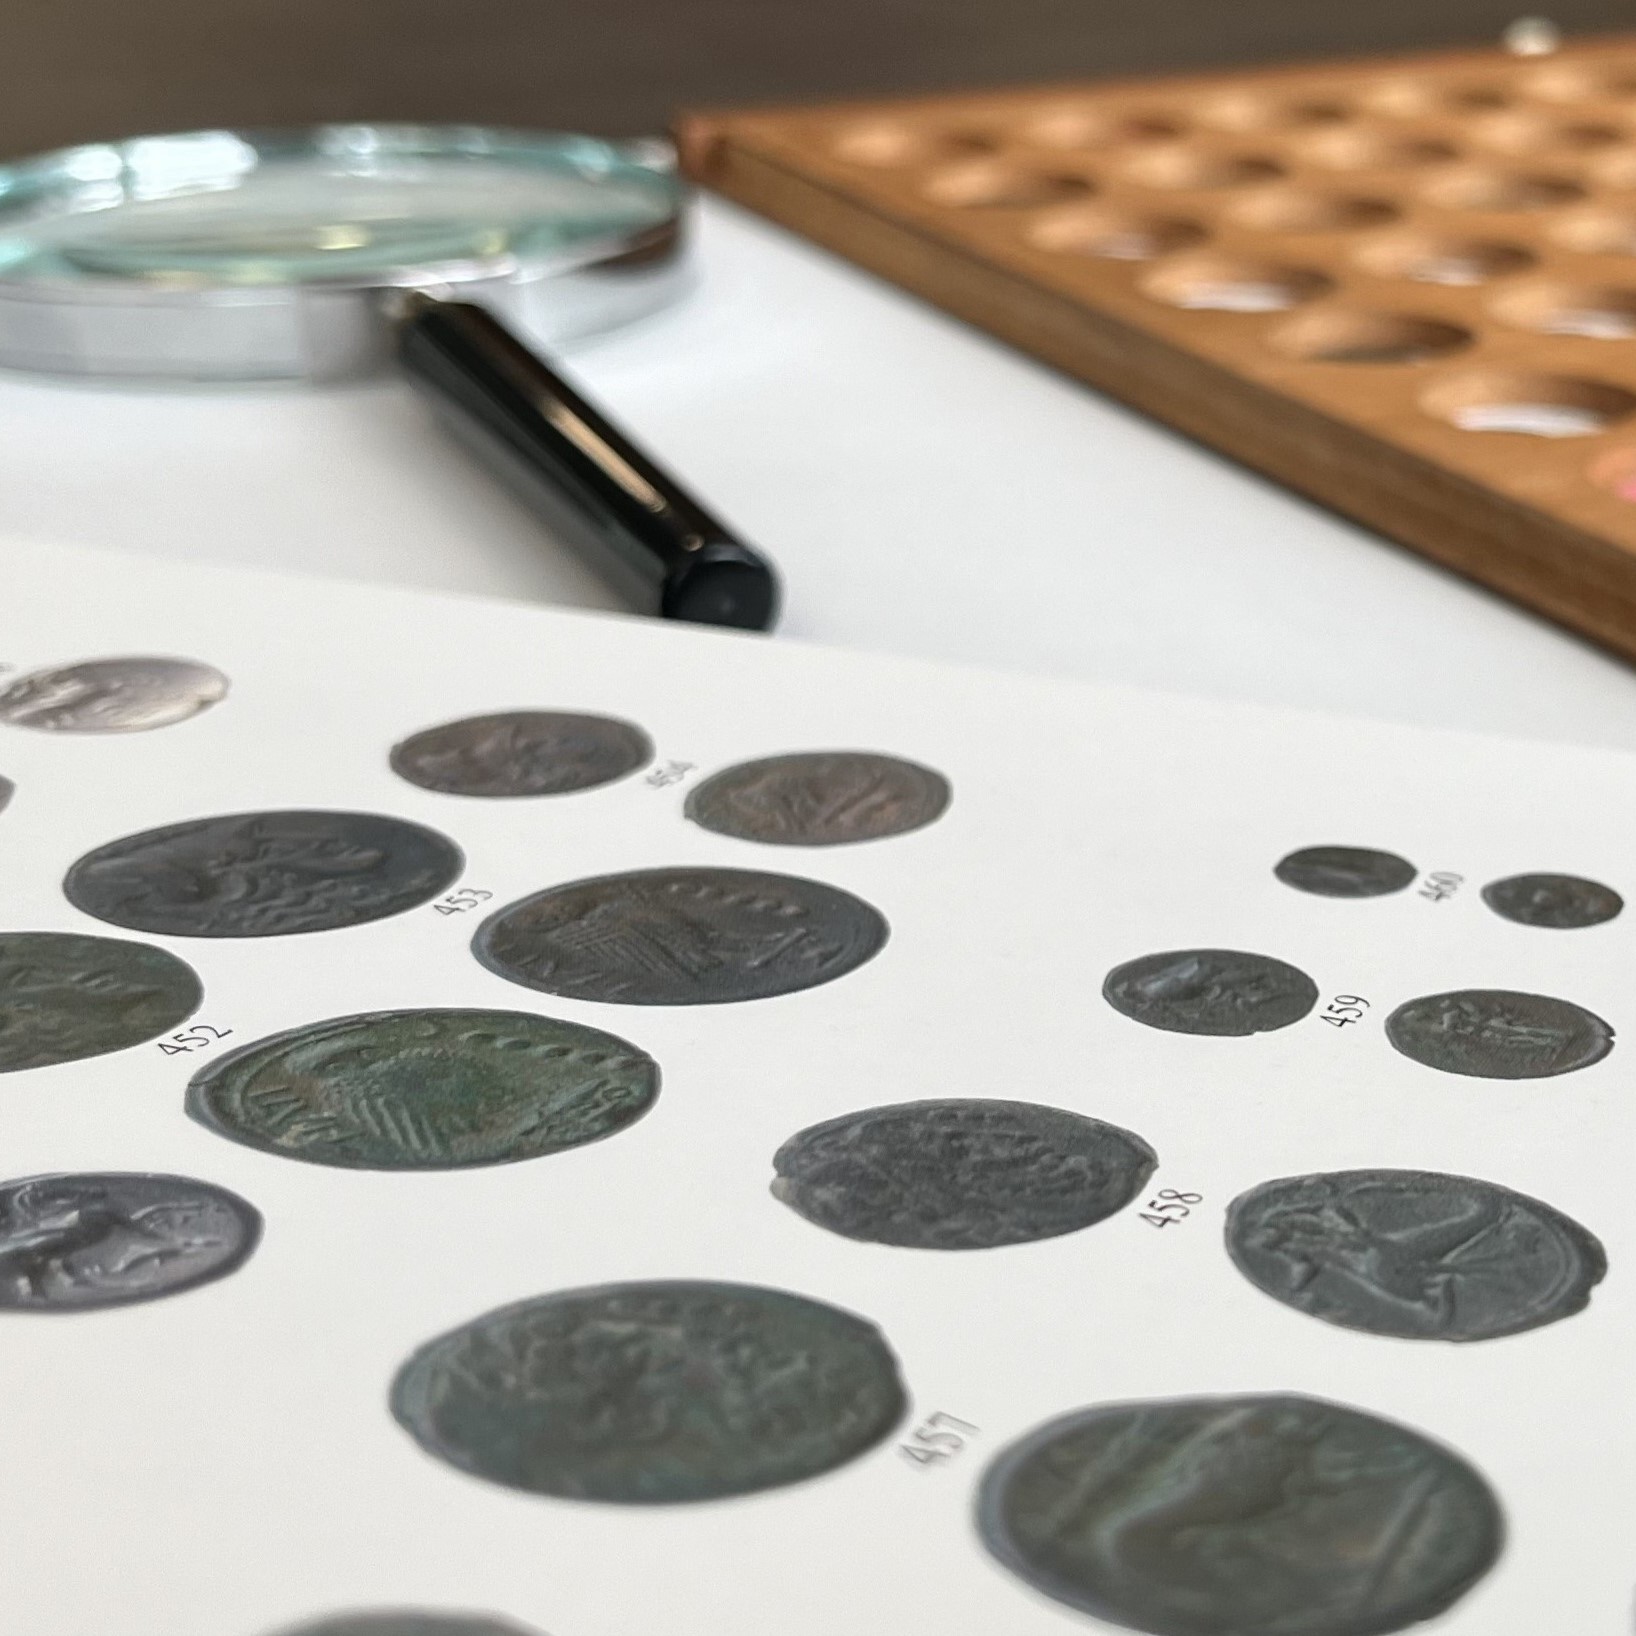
x=681 y=937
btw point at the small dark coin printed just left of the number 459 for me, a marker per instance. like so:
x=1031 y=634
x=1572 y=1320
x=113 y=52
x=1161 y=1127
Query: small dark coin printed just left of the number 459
x=1221 y=992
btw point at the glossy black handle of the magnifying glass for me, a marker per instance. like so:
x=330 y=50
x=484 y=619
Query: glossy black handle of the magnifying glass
x=629 y=516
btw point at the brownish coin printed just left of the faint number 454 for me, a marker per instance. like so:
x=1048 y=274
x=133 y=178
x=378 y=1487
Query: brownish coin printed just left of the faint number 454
x=523 y=753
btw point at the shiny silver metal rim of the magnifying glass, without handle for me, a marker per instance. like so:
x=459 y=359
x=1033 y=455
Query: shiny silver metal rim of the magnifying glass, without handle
x=204 y=331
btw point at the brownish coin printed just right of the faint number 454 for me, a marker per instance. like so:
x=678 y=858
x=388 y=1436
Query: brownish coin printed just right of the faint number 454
x=820 y=799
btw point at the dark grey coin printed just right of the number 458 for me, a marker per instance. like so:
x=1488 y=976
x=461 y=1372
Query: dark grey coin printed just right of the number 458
x=1414 y=1254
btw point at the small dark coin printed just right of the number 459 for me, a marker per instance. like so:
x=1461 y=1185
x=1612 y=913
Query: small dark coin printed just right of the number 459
x=1499 y=1035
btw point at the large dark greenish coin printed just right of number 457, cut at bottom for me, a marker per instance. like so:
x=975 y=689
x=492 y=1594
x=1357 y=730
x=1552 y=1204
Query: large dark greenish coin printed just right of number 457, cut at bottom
x=1270 y=1516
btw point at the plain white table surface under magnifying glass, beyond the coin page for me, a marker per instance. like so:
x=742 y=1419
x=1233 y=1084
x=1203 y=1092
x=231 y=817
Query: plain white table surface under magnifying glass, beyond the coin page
x=922 y=488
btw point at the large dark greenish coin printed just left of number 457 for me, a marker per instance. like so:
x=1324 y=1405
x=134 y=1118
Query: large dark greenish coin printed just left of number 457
x=652 y=1393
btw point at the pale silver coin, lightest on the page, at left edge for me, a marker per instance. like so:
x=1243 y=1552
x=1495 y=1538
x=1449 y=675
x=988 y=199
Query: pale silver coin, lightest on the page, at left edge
x=112 y=696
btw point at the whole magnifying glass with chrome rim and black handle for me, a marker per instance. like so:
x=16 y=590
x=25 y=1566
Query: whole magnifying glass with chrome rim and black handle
x=328 y=254
